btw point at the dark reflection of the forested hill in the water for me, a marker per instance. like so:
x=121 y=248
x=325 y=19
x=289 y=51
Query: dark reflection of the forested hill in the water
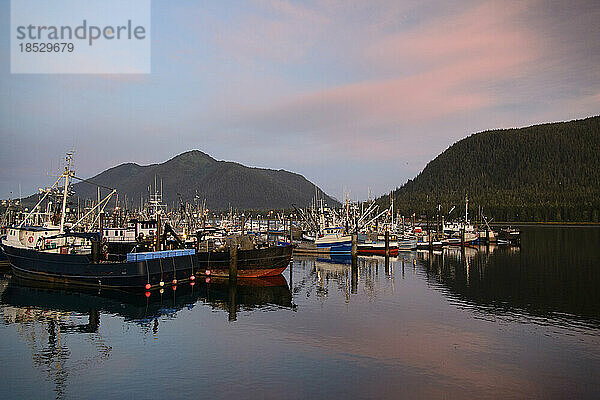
x=544 y=281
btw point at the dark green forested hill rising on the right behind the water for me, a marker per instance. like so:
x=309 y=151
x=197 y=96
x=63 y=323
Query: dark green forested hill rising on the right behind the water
x=548 y=172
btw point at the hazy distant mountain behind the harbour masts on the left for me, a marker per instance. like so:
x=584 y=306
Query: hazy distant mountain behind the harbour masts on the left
x=221 y=183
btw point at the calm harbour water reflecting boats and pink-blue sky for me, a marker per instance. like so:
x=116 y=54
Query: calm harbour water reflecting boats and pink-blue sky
x=497 y=323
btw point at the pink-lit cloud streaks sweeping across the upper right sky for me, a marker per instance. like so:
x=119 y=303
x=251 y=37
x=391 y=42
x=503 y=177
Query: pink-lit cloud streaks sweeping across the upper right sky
x=457 y=58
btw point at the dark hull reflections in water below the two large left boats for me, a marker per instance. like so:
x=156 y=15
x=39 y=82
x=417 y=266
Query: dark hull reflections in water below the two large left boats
x=245 y=294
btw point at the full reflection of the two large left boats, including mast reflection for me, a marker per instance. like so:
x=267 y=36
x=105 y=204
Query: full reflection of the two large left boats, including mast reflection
x=44 y=313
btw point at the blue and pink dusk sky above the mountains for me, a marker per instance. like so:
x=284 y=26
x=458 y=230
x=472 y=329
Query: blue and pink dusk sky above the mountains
x=357 y=96
